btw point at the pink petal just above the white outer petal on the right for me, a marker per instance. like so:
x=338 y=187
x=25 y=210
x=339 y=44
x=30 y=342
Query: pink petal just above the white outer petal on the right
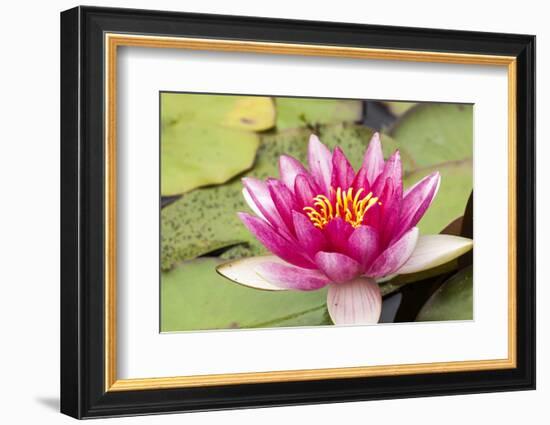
x=393 y=257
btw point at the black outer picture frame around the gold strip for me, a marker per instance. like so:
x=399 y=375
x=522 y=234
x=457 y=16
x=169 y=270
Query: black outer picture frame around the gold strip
x=83 y=392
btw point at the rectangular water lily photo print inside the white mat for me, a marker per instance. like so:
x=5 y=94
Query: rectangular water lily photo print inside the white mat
x=300 y=212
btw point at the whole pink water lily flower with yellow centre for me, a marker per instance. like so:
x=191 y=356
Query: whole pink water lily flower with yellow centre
x=330 y=225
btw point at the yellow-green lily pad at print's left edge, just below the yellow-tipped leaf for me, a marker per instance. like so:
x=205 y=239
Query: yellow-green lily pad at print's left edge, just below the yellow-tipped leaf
x=194 y=155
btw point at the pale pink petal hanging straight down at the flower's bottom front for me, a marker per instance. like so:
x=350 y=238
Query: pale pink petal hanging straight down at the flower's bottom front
x=358 y=302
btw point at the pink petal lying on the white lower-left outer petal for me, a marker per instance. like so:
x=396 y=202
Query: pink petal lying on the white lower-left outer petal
x=291 y=277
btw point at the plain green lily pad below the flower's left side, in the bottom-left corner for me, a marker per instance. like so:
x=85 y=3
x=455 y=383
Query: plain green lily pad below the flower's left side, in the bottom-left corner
x=195 y=297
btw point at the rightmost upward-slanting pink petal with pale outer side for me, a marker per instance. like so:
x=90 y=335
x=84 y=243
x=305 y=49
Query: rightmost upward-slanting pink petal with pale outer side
x=417 y=200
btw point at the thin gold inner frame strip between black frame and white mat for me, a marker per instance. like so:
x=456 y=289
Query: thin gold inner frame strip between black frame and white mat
x=113 y=41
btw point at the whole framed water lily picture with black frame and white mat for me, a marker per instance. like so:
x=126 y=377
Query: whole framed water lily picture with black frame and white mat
x=261 y=212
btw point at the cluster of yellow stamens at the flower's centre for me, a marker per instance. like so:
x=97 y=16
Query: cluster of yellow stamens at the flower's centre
x=347 y=205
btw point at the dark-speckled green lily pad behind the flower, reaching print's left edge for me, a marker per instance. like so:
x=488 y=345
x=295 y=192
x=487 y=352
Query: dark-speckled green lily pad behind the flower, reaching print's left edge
x=205 y=219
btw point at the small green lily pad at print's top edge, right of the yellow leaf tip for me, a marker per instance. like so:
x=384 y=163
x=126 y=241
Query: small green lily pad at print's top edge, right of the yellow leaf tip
x=300 y=112
